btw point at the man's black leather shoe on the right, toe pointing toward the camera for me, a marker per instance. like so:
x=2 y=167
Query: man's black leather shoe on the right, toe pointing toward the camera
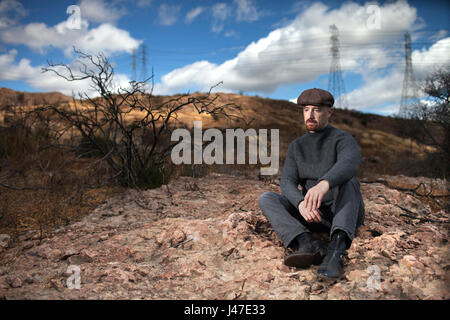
x=333 y=265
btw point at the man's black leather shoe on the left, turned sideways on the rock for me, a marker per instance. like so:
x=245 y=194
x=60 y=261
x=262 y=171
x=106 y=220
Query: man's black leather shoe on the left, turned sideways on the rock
x=309 y=251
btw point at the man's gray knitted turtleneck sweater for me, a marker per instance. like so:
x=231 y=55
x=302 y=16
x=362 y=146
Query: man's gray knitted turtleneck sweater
x=329 y=154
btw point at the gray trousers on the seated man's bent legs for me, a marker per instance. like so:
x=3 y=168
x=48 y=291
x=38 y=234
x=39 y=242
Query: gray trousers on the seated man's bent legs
x=346 y=212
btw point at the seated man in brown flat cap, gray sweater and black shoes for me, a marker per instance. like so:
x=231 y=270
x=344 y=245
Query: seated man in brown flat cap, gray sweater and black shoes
x=324 y=162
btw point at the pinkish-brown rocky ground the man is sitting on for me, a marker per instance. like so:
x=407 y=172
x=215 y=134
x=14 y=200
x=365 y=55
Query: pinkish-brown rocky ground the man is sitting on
x=206 y=238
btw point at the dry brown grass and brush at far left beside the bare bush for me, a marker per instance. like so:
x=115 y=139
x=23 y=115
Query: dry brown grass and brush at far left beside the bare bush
x=43 y=185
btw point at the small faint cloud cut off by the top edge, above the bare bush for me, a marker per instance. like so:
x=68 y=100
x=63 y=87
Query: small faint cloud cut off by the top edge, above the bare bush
x=100 y=12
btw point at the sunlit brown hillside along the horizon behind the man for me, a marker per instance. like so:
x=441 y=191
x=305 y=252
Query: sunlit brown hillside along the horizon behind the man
x=383 y=150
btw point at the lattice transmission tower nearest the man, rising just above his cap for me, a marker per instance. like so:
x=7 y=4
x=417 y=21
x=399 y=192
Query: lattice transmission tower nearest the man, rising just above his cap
x=335 y=80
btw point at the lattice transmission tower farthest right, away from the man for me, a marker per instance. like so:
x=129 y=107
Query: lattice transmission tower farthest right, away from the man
x=409 y=91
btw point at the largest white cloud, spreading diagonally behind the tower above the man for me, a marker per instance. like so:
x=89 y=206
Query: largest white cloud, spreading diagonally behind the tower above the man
x=300 y=51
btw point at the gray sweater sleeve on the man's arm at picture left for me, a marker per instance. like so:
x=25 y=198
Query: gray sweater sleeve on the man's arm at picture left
x=290 y=179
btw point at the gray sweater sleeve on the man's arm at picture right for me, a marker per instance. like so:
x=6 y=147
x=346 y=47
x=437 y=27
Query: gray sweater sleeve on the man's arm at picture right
x=347 y=162
